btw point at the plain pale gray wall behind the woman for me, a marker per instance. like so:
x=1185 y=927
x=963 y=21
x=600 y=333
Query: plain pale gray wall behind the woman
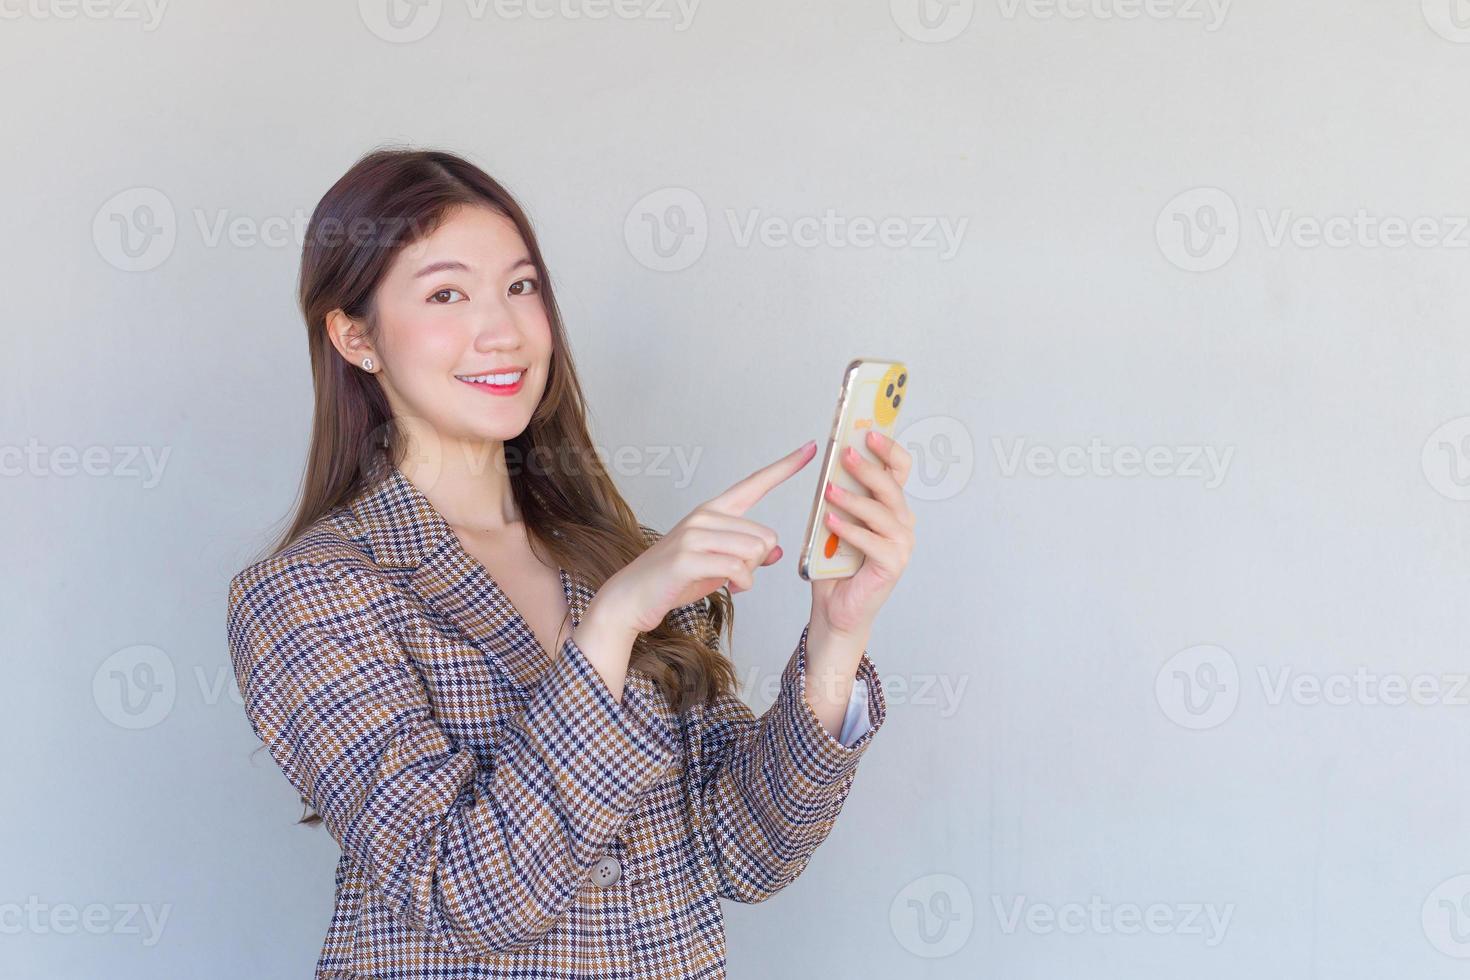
x=1178 y=674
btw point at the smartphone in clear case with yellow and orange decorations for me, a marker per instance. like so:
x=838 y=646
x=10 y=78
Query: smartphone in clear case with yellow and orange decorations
x=872 y=394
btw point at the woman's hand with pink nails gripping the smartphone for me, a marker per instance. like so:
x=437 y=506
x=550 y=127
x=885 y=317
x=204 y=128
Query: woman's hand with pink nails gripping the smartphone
x=881 y=527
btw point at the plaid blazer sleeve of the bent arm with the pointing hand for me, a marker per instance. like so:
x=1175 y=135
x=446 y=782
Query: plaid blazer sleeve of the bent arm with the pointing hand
x=481 y=860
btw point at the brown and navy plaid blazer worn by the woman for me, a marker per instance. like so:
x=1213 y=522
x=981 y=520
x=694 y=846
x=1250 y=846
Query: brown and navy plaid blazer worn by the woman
x=501 y=815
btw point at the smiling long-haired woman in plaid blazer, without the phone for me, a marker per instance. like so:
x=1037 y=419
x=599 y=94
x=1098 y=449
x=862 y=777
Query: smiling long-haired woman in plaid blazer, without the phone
x=514 y=799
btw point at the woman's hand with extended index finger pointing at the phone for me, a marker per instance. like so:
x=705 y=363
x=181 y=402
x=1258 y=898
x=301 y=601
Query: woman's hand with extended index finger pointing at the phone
x=714 y=546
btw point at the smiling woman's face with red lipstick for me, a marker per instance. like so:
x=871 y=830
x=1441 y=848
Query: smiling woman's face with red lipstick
x=465 y=303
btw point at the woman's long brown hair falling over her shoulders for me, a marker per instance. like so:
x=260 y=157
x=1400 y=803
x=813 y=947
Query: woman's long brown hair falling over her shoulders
x=574 y=515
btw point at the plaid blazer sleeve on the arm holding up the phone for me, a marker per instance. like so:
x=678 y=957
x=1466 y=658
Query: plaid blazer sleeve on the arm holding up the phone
x=771 y=788
